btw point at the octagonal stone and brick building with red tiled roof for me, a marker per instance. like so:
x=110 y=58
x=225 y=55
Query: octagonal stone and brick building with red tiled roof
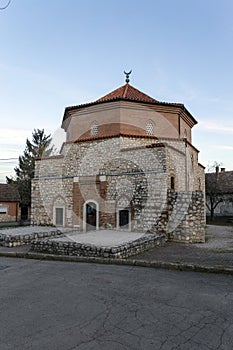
x=128 y=163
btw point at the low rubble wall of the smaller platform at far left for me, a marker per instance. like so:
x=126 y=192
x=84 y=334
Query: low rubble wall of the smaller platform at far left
x=14 y=240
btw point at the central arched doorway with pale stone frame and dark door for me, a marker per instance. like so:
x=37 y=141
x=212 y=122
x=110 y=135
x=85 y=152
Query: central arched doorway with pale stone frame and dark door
x=91 y=219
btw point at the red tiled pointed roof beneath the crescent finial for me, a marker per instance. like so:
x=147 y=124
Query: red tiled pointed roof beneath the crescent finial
x=127 y=92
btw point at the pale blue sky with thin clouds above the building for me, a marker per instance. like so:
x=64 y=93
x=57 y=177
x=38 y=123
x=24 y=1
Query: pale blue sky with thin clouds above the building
x=58 y=53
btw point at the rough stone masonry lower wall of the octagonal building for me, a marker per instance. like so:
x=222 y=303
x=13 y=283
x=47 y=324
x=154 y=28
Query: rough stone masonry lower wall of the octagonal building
x=124 y=172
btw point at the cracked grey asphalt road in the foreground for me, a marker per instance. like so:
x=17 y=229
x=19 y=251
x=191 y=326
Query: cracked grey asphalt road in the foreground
x=67 y=306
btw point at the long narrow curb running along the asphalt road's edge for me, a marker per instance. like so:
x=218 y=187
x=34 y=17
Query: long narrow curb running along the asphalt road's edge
x=127 y=262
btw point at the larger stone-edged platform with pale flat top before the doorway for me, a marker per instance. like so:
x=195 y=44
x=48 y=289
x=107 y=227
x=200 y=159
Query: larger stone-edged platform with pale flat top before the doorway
x=103 y=244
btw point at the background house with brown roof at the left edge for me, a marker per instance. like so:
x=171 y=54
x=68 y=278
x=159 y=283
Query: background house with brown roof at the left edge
x=9 y=203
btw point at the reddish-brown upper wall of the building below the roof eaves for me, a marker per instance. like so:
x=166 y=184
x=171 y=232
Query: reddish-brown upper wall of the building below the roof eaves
x=127 y=117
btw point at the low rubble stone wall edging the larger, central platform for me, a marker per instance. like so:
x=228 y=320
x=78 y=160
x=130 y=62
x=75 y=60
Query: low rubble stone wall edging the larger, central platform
x=144 y=243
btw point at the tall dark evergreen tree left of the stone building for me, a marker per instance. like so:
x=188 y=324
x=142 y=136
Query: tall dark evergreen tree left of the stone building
x=38 y=147
